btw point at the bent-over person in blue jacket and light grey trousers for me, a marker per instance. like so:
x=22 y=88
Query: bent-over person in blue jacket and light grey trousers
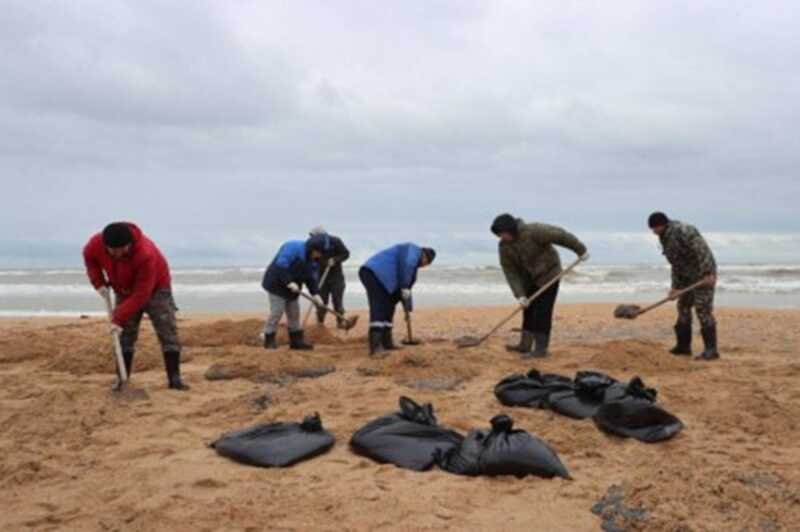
x=292 y=267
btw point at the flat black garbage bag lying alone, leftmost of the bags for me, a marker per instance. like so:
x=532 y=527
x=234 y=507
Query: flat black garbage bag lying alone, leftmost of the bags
x=276 y=444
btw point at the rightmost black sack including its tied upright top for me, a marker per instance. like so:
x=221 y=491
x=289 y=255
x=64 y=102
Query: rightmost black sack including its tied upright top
x=630 y=412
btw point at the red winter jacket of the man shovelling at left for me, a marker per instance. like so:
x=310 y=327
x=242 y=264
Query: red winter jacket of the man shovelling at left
x=134 y=278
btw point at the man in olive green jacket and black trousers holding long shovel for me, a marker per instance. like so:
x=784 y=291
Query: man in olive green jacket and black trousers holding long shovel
x=529 y=260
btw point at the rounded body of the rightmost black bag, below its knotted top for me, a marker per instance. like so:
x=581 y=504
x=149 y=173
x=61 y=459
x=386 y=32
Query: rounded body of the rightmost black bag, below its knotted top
x=637 y=418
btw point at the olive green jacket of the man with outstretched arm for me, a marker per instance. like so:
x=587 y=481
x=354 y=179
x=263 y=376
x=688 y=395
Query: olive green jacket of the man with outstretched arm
x=531 y=260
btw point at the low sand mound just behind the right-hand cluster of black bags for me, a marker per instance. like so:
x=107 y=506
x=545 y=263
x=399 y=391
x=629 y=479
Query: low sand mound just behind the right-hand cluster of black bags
x=636 y=356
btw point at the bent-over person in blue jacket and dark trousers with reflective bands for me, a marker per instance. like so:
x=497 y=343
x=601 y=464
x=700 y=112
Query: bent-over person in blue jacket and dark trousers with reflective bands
x=388 y=278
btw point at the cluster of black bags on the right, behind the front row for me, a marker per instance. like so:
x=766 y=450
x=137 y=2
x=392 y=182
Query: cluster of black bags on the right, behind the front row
x=627 y=410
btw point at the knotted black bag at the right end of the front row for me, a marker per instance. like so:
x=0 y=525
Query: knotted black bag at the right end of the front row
x=503 y=451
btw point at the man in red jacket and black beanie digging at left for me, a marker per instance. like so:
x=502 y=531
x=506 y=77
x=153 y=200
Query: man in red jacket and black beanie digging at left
x=124 y=259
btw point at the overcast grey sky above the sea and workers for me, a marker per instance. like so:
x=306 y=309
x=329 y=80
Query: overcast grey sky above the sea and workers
x=225 y=127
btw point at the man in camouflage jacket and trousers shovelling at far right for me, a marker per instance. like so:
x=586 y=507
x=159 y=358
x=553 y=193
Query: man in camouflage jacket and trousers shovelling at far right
x=692 y=260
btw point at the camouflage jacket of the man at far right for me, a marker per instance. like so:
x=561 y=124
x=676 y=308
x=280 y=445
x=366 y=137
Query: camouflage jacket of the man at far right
x=688 y=253
